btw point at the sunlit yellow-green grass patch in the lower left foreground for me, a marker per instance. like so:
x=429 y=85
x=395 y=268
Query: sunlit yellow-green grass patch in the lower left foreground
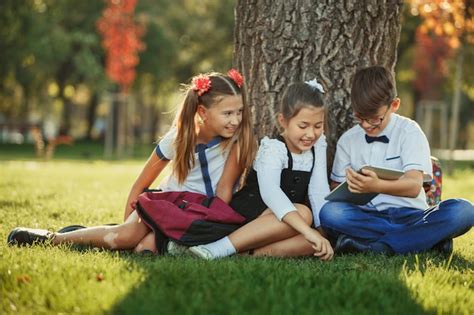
x=42 y=279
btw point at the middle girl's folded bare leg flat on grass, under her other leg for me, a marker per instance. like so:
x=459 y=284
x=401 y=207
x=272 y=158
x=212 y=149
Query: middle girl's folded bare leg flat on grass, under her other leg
x=295 y=246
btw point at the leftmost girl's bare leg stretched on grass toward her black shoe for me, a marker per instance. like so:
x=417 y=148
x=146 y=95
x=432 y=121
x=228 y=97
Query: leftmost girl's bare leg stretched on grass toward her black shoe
x=124 y=236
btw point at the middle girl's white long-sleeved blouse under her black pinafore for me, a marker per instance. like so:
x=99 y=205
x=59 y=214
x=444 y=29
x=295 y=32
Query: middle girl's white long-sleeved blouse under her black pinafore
x=272 y=158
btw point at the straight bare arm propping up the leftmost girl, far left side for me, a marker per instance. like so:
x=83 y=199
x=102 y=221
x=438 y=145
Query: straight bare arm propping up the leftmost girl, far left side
x=149 y=173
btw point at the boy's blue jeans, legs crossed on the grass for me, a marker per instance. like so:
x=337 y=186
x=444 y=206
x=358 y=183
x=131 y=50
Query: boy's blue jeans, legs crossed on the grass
x=403 y=230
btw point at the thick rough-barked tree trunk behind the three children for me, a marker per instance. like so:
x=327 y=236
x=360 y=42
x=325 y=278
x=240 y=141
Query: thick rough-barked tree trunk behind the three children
x=279 y=42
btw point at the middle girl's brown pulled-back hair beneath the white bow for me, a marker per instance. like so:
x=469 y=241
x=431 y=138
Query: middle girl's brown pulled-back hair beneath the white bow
x=298 y=96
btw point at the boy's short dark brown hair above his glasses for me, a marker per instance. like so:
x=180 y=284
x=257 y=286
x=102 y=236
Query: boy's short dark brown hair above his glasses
x=372 y=88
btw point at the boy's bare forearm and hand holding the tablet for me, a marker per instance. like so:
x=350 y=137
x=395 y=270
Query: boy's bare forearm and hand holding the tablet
x=409 y=185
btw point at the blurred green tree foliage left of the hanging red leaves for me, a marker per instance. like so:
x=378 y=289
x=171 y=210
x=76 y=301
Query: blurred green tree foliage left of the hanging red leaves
x=46 y=42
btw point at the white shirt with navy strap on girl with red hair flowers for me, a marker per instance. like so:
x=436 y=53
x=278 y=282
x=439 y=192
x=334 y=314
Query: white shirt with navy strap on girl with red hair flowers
x=201 y=178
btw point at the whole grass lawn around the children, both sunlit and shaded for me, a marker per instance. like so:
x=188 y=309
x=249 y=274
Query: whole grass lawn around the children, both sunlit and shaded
x=66 y=280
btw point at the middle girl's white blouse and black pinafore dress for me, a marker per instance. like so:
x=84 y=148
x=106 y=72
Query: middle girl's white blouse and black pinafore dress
x=280 y=178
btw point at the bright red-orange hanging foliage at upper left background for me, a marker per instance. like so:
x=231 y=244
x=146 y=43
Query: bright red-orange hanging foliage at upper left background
x=121 y=39
